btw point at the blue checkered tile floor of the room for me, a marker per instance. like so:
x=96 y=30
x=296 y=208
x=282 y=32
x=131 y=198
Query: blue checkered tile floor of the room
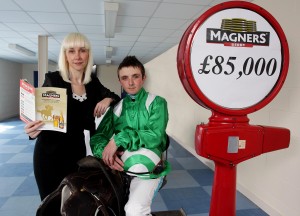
x=189 y=184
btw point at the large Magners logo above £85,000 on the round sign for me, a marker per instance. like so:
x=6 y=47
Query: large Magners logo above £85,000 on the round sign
x=238 y=33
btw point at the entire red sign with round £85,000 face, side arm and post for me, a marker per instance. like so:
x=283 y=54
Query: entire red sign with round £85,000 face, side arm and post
x=233 y=60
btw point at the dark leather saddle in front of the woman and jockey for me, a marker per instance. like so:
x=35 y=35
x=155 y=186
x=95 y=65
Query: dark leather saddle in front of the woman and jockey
x=94 y=190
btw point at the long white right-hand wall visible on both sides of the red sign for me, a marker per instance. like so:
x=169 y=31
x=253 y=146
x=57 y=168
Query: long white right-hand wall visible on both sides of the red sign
x=270 y=180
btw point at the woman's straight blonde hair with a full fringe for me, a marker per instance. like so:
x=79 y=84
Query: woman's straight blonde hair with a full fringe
x=72 y=40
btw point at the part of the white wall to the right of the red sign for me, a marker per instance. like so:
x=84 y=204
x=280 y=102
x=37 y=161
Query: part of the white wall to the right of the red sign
x=273 y=177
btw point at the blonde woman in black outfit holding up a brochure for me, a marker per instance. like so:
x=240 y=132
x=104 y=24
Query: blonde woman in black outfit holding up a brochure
x=56 y=154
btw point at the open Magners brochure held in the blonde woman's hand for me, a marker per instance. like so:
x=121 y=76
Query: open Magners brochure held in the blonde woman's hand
x=48 y=104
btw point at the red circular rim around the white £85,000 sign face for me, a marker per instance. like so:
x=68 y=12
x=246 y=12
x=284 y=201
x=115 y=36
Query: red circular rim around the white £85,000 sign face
x=185 y=71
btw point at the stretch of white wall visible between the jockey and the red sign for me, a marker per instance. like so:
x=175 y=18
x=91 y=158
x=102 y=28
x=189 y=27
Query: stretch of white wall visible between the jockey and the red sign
x=184 y=113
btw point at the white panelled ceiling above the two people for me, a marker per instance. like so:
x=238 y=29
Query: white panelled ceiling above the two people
x=145 y=28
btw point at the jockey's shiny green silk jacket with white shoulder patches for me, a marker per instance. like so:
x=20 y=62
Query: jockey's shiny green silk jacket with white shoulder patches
x=133 y=124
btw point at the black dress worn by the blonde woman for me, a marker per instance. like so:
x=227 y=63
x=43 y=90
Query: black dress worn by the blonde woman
x=56 y=153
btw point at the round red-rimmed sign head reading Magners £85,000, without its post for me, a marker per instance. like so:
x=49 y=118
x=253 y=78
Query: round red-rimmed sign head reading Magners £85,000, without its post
x=234 y=58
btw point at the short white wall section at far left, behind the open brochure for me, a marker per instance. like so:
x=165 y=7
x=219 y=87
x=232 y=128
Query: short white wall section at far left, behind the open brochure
x=10 y=74
